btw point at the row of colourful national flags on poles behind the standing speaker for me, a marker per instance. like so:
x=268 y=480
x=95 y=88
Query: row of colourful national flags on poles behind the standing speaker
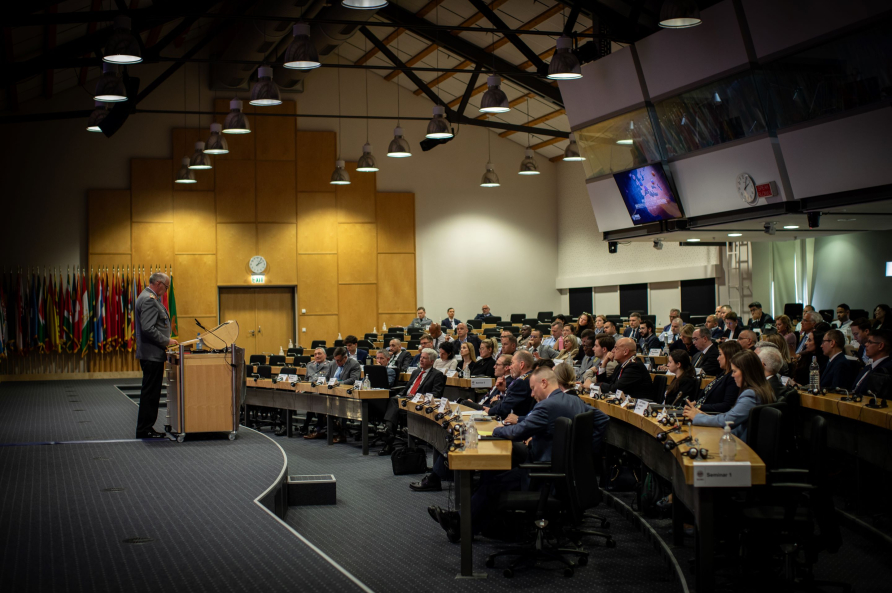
x=76 y=312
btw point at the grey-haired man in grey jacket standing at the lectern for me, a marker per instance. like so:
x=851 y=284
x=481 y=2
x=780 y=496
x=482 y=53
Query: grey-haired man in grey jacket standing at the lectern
x=152 y=340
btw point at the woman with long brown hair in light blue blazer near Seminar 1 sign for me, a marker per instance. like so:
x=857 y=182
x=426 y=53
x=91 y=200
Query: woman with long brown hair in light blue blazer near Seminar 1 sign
x=749 y=376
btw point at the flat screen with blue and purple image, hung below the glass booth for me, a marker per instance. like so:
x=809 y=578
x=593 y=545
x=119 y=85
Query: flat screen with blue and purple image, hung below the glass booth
x=647 y=194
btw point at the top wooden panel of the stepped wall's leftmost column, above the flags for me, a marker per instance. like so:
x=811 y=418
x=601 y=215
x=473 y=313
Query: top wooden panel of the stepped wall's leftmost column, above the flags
x=108 y=214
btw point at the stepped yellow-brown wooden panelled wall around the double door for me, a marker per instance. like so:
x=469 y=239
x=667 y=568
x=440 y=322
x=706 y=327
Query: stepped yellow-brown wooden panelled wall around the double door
x=350 y=250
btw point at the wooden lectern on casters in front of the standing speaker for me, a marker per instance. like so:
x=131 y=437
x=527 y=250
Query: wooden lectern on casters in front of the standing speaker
x=205 y=387
